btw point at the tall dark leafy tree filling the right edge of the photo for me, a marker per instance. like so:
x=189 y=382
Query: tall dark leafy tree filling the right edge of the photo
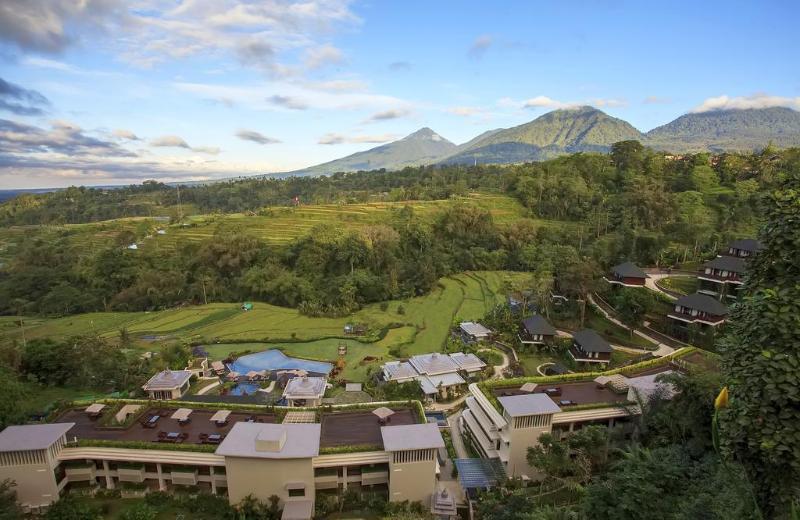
x=761 y=356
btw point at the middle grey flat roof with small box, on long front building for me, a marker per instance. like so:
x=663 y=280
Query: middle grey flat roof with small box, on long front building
x=299 y=441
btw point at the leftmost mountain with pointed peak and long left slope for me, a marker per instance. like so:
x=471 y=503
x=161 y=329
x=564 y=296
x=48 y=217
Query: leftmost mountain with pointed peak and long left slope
x=422 y=147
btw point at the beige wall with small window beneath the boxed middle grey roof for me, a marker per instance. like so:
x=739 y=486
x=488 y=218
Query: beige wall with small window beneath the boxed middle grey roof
x=263 y=478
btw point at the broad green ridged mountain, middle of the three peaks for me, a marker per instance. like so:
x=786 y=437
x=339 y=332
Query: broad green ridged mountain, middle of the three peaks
x=581 y=129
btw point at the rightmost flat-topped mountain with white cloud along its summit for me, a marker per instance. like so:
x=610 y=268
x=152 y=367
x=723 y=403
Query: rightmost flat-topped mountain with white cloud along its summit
x=719 y=130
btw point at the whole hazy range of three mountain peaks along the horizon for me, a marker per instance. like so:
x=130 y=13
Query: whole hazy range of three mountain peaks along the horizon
x=581 y=129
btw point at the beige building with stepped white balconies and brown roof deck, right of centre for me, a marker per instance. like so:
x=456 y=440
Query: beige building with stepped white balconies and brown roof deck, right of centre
x=502 y=422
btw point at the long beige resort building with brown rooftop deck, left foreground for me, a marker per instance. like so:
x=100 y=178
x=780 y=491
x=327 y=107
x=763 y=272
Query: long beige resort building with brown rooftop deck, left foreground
x=294 y=455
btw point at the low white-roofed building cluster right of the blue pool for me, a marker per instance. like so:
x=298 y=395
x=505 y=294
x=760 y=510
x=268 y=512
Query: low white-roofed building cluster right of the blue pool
x=438 y=375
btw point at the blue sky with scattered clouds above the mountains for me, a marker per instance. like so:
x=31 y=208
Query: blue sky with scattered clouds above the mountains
x=102 y=92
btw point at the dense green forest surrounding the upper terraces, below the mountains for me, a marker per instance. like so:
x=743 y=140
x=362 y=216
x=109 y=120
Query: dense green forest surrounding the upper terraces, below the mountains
x=633 y=203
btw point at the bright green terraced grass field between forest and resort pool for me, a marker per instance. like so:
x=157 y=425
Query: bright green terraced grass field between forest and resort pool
x=422 y=327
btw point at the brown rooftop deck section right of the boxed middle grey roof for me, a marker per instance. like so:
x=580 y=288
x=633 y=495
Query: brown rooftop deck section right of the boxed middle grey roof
x=360 y=428
